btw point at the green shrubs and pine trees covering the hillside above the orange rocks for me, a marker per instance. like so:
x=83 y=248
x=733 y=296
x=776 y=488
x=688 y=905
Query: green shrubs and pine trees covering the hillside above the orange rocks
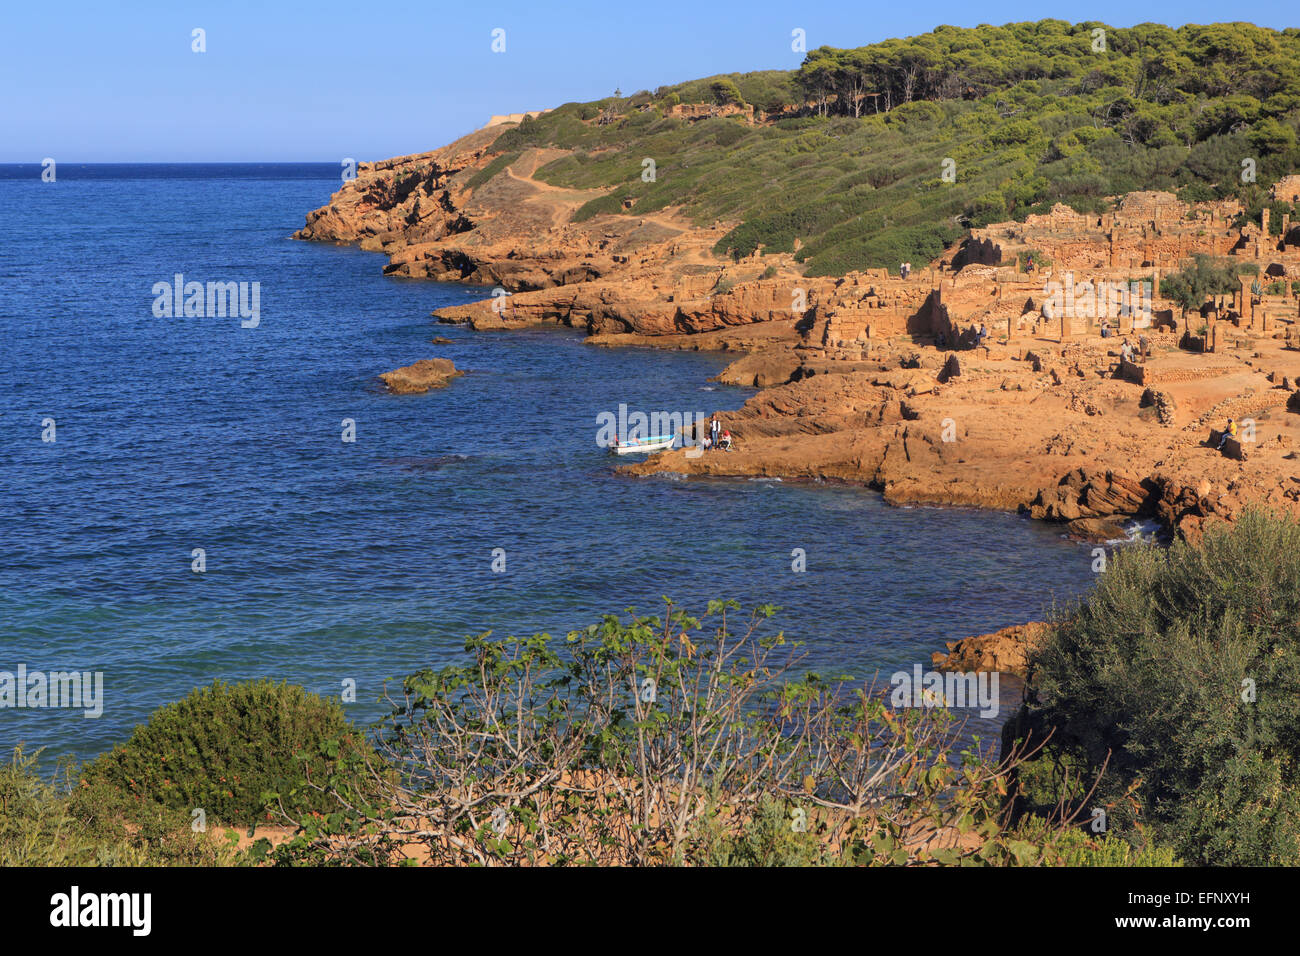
x=850 y=152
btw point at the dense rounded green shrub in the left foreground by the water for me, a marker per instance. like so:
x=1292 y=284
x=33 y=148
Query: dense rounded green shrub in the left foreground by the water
x=229 y=750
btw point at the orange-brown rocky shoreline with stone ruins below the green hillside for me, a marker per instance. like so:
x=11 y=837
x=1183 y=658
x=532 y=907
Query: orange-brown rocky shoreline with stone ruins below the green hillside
x=1039 y=414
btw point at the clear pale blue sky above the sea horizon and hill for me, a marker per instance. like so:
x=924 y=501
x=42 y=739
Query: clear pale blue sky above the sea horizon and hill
x=96 y=83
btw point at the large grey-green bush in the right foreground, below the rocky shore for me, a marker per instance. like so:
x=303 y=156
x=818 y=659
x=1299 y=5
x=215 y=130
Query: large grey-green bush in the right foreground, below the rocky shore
x=1181 y=673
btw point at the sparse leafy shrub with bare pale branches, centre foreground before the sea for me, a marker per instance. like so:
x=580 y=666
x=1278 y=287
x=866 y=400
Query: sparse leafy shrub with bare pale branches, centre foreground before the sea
x=665 y=742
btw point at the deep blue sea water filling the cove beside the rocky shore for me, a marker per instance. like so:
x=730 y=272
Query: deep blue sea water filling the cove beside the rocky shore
x=331 y=561
